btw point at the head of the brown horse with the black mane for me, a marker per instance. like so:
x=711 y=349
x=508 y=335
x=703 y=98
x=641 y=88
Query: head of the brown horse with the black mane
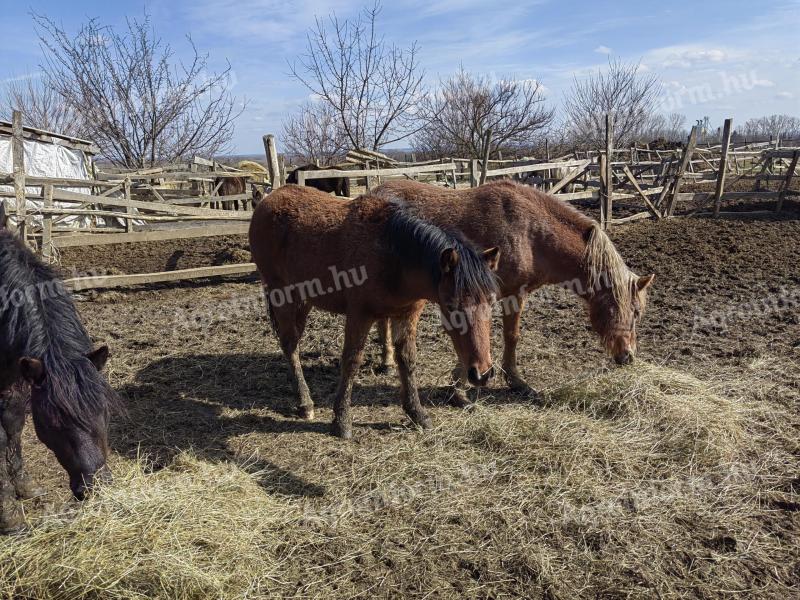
x=466 y=314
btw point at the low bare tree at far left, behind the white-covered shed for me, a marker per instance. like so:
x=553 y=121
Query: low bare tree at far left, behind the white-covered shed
x=41 y=106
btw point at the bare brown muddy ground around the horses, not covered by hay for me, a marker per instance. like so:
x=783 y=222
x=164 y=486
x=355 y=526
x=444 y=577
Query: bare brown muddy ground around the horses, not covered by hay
x=198 y=368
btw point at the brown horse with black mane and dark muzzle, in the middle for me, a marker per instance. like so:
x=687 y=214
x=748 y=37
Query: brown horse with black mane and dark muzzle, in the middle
x=369 y=259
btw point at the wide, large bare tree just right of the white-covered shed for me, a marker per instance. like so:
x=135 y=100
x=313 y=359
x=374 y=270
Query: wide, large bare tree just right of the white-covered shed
x=139 y=105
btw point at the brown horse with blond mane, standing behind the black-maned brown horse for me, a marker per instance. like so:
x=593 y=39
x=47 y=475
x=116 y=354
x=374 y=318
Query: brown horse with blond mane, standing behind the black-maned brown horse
x=543 y=241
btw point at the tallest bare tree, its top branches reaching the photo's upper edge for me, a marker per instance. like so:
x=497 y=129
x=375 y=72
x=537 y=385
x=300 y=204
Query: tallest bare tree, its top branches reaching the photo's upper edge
x=372 y=86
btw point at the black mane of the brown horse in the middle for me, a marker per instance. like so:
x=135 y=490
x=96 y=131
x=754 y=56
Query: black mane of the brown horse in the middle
x=420 y=243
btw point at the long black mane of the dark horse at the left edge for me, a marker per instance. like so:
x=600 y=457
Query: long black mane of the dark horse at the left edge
x=38 y=319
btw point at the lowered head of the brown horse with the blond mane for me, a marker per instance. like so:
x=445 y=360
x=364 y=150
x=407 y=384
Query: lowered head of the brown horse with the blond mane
x=614 y=316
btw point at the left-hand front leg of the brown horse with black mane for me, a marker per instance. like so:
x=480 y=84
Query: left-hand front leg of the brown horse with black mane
x=356 y=330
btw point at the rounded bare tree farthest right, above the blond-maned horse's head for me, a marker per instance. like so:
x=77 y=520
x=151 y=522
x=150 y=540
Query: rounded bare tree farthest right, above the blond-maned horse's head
x=624 y=90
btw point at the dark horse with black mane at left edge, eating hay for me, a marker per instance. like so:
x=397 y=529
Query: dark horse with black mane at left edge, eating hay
x=46 y=357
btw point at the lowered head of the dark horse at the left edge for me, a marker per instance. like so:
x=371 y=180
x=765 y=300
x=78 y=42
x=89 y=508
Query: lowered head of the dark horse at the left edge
x=76 y=430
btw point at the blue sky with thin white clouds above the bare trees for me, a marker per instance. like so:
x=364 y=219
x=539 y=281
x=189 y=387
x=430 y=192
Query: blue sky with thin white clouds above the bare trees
x=716 y=58
